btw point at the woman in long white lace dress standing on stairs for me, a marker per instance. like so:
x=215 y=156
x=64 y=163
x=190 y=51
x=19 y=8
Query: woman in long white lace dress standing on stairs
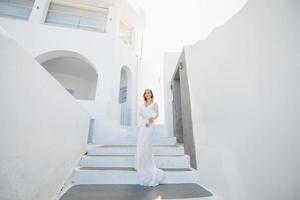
x=144 y=162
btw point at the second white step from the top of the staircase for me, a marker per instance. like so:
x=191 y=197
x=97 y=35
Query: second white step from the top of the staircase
x=174 y=150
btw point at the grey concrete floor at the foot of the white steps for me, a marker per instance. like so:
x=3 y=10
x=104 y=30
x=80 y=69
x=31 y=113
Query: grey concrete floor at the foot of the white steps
x=186 y=191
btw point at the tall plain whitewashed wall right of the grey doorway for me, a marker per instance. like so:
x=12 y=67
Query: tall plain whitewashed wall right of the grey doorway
x=244 y=87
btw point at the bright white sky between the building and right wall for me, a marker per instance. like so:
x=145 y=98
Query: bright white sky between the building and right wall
x=173 y=24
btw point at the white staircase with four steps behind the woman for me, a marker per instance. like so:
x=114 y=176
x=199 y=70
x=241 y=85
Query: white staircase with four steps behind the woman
x=113 y=163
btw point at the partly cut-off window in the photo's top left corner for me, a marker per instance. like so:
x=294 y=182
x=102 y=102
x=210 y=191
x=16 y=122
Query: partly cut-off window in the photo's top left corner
x=20 y=9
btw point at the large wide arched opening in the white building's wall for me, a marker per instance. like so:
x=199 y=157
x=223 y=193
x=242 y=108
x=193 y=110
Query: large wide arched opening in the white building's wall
x=73 y=71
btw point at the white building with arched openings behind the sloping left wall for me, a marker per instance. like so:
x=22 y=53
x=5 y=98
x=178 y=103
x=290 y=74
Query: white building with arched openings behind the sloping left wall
x=91 y=47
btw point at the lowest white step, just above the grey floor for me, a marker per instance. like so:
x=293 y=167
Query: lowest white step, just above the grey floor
x=129 y=176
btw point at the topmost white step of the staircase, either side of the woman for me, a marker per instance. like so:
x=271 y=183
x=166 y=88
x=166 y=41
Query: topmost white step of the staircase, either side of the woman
x=155 y=141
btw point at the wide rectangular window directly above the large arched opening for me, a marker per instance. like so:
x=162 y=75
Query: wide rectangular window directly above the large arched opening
x=75 y=17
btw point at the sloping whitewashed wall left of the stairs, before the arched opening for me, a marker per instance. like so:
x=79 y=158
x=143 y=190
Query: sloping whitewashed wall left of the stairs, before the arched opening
x=43 y=128
